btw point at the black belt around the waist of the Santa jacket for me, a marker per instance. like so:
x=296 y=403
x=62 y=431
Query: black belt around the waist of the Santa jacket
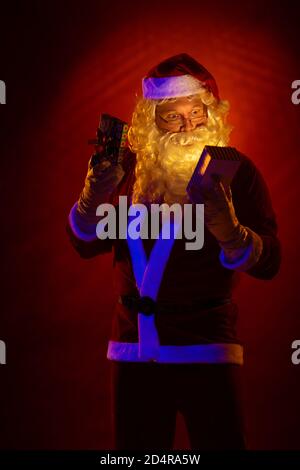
x=148 y=306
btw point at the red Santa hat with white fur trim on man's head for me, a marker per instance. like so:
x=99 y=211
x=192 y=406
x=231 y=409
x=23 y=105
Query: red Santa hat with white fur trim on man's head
x=180 y=75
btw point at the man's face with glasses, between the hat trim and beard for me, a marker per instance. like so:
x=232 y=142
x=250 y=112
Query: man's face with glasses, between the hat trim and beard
x=182 y=115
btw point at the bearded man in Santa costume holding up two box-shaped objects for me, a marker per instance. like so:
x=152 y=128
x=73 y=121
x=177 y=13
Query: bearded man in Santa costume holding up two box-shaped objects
x=174 y=346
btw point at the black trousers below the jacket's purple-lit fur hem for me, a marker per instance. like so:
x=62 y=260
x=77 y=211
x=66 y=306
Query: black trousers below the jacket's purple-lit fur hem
x=147 y=396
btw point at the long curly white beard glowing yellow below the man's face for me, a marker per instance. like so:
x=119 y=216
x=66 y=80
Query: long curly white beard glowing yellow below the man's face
x=166 y=163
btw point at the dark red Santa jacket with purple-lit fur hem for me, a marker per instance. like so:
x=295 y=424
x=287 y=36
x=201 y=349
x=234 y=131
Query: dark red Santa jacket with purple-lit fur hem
x=195 y=316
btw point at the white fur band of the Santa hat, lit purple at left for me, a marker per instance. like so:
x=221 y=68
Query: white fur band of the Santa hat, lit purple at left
x=170 y=87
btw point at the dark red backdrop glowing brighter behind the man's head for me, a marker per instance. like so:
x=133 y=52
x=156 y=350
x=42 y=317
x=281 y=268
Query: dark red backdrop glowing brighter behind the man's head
x=63 y=64
